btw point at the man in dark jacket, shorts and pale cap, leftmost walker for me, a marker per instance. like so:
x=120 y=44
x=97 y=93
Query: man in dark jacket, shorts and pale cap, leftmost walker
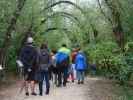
x=28 y=57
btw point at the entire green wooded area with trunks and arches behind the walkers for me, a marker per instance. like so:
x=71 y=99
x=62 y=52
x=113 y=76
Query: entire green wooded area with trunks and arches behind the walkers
x=103 y=28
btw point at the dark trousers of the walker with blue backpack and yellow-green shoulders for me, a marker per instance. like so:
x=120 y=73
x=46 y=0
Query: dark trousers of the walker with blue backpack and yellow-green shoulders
x=62 y=75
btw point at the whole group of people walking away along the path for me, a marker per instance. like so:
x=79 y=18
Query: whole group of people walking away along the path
x=57 y=65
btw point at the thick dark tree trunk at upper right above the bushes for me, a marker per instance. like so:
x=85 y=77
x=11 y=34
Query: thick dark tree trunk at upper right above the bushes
x=117 y=25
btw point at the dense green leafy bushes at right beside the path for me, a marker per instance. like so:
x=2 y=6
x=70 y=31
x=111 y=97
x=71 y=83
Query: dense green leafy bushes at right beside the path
x=110 y=61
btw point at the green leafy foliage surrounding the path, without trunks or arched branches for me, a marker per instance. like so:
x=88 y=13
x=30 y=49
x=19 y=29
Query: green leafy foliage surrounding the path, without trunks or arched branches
x=102 y=50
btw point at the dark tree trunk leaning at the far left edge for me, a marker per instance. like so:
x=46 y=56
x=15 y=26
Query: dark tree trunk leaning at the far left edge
x=7 y=39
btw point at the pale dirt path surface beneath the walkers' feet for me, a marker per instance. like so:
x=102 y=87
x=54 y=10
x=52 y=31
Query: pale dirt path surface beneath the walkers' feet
x=93 y=89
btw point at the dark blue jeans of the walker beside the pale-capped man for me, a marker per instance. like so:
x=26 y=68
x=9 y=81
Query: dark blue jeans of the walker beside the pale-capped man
x=44 y=74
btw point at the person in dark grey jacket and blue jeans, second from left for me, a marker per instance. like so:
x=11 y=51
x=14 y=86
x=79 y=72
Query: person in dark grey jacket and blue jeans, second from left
x=44 y=63
